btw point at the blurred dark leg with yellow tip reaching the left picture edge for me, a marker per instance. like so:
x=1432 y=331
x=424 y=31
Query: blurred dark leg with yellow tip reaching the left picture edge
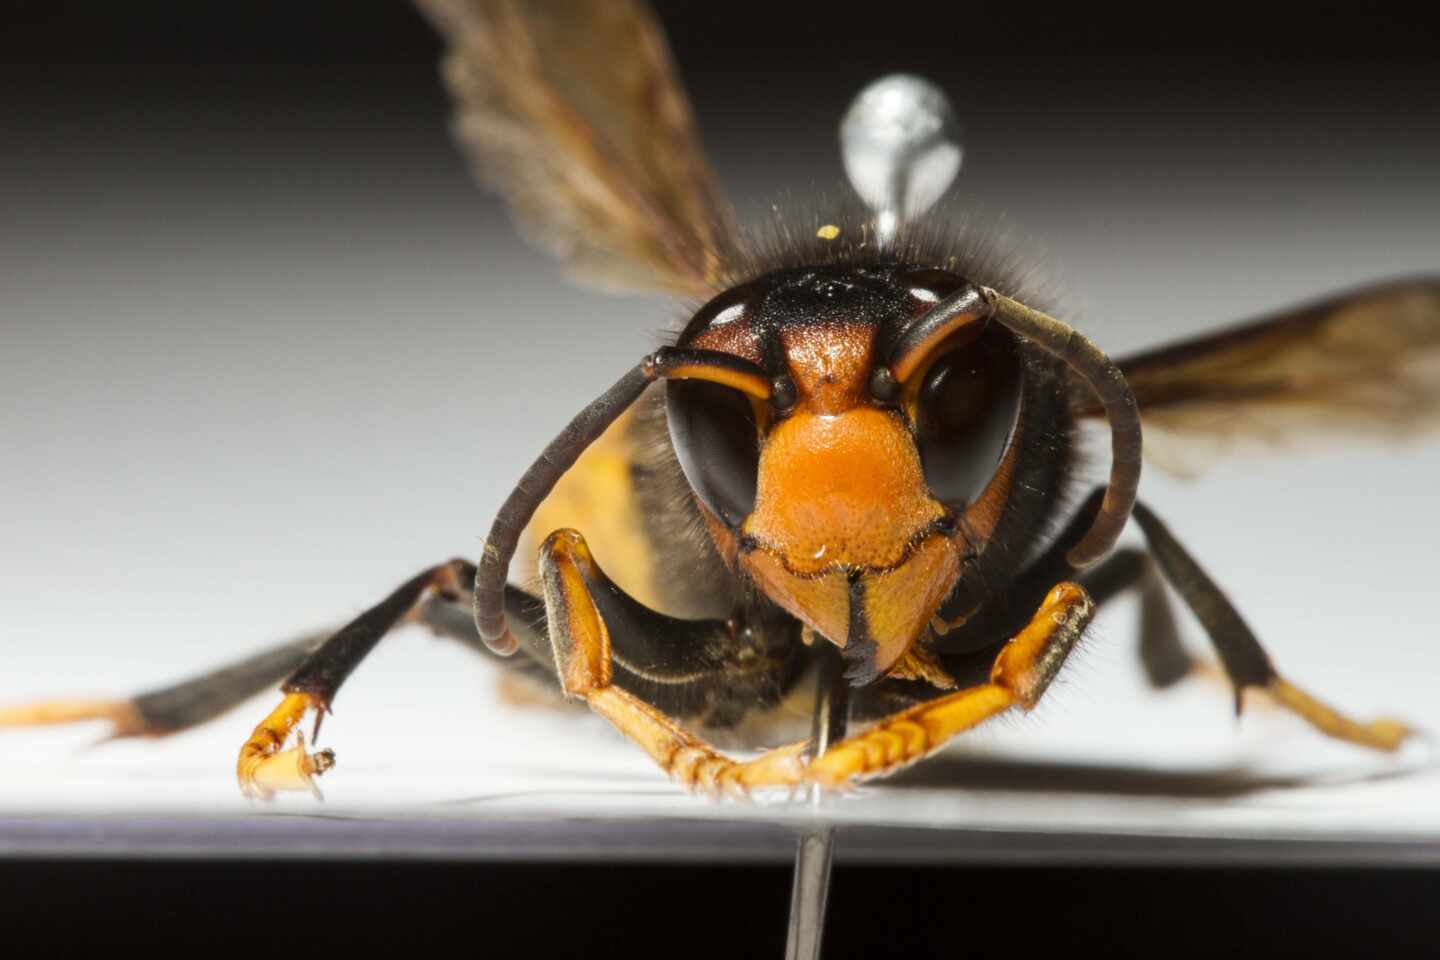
x=178 y=707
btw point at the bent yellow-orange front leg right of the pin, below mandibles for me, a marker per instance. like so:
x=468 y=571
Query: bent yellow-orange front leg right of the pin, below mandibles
x=1019 y=679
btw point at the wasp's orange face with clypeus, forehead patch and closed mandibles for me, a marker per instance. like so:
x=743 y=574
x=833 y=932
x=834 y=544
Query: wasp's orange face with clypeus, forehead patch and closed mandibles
x=846 y=535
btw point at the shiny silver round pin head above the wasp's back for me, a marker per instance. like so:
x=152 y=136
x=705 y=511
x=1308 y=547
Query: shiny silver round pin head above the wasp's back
x=902 y=149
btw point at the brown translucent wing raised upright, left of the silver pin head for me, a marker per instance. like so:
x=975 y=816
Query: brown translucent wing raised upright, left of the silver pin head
x=574 y=113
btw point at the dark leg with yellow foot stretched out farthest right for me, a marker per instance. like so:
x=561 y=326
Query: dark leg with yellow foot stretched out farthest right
x=1241 y=653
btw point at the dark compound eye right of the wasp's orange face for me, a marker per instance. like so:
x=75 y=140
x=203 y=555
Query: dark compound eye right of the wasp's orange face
x=966 y=417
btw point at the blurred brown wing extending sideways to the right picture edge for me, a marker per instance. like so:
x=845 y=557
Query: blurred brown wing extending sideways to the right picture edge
x=1364 y=362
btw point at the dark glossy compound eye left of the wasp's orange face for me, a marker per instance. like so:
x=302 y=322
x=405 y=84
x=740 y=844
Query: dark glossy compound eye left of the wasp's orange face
x=719 y=445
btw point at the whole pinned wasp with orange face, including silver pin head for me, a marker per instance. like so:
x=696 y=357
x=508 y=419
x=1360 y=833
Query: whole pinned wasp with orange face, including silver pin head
x=853 y=477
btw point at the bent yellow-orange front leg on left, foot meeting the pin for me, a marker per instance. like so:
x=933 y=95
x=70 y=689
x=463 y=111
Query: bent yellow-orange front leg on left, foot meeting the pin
x=580 y=602
